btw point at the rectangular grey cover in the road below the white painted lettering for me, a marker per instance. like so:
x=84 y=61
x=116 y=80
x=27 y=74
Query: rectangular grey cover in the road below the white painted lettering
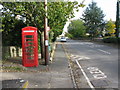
x=99 y=83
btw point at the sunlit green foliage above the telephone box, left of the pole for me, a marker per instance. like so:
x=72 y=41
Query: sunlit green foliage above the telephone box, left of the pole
x=28 y=10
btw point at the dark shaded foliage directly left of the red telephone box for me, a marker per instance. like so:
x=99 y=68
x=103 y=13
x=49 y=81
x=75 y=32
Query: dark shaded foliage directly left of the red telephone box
x=12 y=32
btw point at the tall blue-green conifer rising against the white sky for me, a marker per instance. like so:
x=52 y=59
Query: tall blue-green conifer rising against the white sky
x=93 y=18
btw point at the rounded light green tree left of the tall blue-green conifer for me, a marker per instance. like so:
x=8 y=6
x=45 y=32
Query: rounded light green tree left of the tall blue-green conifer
x=76 y=29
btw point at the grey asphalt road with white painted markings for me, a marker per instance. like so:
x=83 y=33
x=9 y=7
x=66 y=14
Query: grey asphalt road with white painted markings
x=98 y=62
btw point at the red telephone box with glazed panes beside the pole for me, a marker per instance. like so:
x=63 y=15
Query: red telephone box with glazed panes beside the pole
x=29 y=46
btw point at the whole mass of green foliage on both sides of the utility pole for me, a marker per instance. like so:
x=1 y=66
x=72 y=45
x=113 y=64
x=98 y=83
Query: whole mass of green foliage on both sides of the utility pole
x=32 y=14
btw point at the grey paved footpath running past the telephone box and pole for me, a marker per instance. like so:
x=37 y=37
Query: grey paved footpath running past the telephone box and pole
x=58 y=75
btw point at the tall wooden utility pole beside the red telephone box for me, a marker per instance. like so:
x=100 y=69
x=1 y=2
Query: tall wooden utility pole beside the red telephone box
x=46 y=36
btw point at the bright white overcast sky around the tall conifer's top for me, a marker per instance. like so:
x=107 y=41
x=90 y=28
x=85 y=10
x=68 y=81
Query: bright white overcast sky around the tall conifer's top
x=108 y=7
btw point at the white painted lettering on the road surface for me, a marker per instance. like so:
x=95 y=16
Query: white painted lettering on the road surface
x=97 y=74
